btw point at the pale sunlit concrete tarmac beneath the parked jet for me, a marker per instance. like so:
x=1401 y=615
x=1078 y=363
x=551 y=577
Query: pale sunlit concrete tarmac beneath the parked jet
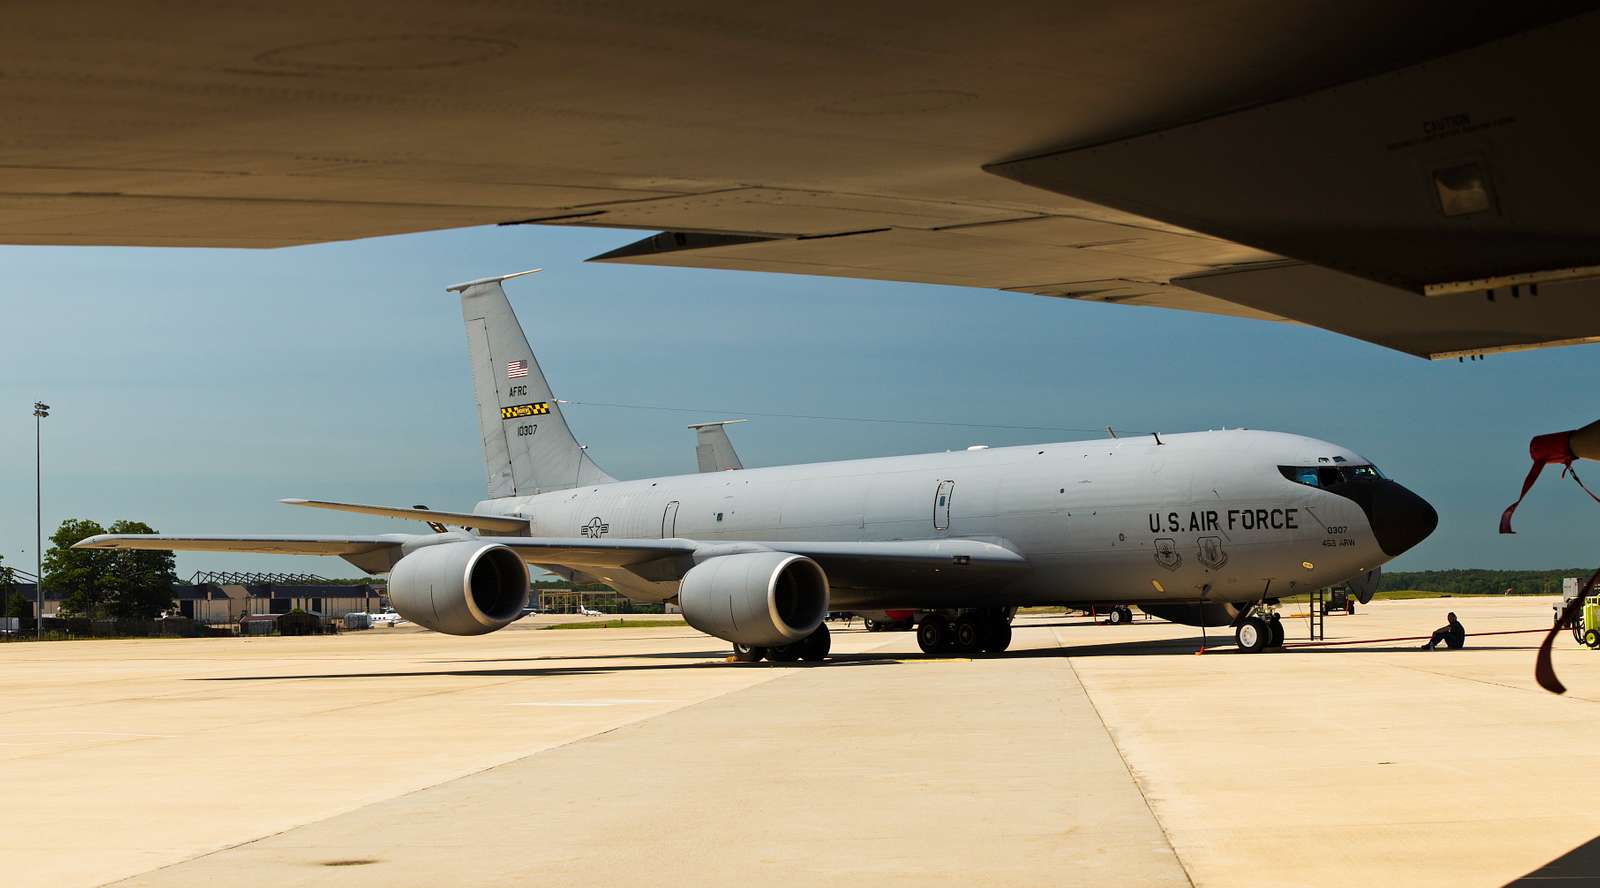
x=1089 y=756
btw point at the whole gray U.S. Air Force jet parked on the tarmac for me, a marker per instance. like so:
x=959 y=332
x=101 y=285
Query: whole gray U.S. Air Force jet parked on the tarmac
x=1204 y=529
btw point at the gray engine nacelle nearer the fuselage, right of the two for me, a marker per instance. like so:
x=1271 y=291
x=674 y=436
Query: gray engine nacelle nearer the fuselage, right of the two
x=762 y=599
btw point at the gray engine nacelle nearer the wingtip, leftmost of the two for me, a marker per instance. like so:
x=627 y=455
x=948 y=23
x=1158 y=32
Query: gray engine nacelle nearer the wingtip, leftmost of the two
x=460 y=588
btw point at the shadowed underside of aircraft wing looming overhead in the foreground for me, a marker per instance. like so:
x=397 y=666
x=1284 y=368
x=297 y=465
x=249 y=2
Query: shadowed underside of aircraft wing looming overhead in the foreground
x=1038 y=148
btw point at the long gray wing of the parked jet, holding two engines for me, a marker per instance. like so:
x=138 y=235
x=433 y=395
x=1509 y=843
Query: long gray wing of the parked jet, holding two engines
x=938 y=562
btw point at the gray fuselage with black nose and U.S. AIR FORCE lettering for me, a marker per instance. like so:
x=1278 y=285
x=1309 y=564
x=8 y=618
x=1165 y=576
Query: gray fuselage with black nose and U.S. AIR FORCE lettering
x=1204 y=516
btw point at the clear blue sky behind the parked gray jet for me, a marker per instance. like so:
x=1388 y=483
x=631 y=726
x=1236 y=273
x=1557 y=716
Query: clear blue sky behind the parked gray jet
x=194 y=388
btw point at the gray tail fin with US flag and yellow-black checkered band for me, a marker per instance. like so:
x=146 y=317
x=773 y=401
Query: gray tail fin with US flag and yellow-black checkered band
x=527 y=446
